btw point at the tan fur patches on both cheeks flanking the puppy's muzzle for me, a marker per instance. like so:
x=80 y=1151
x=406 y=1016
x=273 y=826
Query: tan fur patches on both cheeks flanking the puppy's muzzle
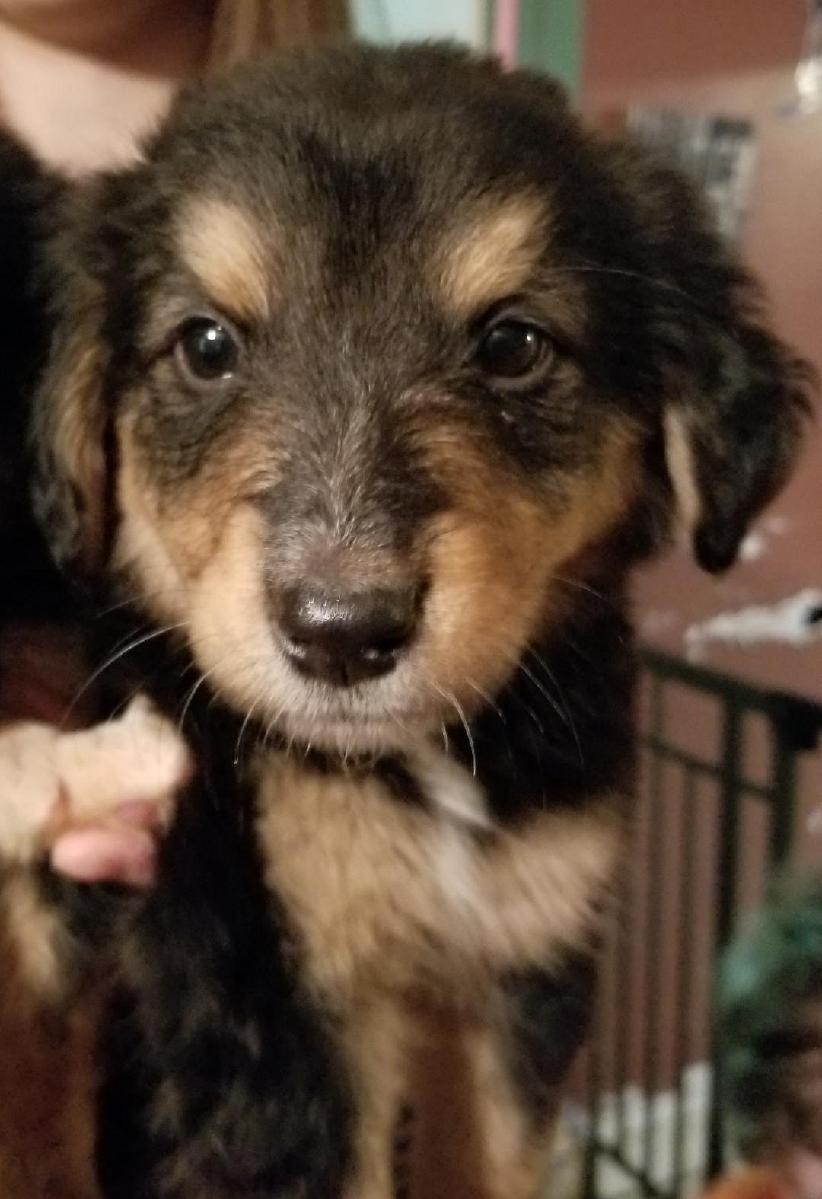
x=491 y=561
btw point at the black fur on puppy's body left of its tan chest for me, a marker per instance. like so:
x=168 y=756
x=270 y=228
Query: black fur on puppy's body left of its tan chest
x=222 y=1025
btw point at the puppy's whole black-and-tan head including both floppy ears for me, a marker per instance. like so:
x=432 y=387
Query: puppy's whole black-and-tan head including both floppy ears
x=358 y=373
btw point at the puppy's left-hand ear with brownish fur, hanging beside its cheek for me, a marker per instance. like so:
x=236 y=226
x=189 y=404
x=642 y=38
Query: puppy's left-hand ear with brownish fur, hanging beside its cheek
x=70 y=418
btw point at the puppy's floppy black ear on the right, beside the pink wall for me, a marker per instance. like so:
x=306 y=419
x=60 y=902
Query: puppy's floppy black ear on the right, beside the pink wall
x=736 y=399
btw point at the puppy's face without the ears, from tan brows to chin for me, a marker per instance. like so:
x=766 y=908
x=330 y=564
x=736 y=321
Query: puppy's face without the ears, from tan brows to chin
x=356 y=447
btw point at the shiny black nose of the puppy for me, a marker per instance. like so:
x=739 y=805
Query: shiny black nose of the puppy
x=344 y=637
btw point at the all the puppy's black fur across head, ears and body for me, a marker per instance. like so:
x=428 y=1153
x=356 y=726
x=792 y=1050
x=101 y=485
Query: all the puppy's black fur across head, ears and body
x=360 y=159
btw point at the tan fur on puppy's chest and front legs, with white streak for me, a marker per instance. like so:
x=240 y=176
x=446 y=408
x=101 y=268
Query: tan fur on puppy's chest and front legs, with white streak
x=394 y=903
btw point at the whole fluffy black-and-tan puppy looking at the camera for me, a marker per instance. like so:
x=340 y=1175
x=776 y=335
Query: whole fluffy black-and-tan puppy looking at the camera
x=368 y=388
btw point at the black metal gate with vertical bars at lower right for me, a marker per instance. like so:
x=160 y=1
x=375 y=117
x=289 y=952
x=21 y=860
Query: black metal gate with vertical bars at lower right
x=720 y=768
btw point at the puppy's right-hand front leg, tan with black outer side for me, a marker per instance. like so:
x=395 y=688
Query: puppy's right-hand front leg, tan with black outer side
x=488 y=1090
